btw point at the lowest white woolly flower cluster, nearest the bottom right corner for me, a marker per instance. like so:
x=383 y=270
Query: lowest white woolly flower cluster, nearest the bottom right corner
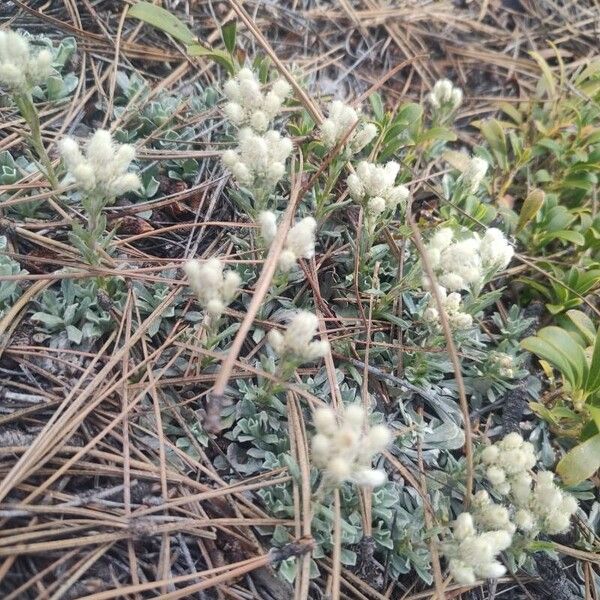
x=472 y=553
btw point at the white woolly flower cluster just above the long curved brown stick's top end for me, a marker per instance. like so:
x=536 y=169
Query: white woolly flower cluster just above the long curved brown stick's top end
x=375 y=187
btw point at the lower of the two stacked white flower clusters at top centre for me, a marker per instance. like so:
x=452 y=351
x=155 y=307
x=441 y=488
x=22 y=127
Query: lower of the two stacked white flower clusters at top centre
x=259 y=160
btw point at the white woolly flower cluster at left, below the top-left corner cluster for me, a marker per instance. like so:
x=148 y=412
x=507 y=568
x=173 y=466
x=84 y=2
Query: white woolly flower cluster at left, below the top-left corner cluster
x=102 y=168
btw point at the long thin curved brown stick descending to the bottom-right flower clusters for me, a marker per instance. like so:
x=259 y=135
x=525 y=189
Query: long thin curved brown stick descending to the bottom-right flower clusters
x=464 y=406
